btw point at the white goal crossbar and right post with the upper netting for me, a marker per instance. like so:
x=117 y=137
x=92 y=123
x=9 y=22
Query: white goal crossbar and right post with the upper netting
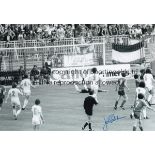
x=15 y=57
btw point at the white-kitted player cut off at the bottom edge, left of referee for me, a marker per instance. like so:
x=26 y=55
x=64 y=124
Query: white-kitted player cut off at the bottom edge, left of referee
x=37 y=118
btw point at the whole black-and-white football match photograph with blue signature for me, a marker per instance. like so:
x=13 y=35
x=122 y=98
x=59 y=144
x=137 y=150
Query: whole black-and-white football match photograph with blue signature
x=77 y=77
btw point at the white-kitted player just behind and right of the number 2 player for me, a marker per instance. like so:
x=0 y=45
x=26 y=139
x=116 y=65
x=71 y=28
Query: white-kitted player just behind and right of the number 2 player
x=26 y=89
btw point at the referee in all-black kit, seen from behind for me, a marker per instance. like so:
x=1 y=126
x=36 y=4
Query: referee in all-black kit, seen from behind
x=89 y=102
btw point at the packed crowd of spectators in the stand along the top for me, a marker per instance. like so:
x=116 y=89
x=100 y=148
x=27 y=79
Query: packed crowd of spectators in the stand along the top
x=10 y=32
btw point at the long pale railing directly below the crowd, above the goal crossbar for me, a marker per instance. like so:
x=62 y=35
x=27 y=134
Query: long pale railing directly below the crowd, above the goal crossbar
x=66 y=41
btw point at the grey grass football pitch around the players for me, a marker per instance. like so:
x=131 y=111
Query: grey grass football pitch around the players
x=63 y=110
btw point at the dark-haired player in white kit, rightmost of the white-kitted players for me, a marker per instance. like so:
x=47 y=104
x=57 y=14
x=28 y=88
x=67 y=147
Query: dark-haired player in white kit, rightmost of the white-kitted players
x=148 y=79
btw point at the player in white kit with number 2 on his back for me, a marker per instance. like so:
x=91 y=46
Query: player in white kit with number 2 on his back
x=15 y=102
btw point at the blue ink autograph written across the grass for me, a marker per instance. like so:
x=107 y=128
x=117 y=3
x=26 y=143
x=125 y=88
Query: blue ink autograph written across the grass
x=110 y=119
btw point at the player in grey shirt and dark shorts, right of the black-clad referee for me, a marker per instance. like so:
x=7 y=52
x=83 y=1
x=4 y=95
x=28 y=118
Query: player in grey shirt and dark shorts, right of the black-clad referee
x=121 y=91
